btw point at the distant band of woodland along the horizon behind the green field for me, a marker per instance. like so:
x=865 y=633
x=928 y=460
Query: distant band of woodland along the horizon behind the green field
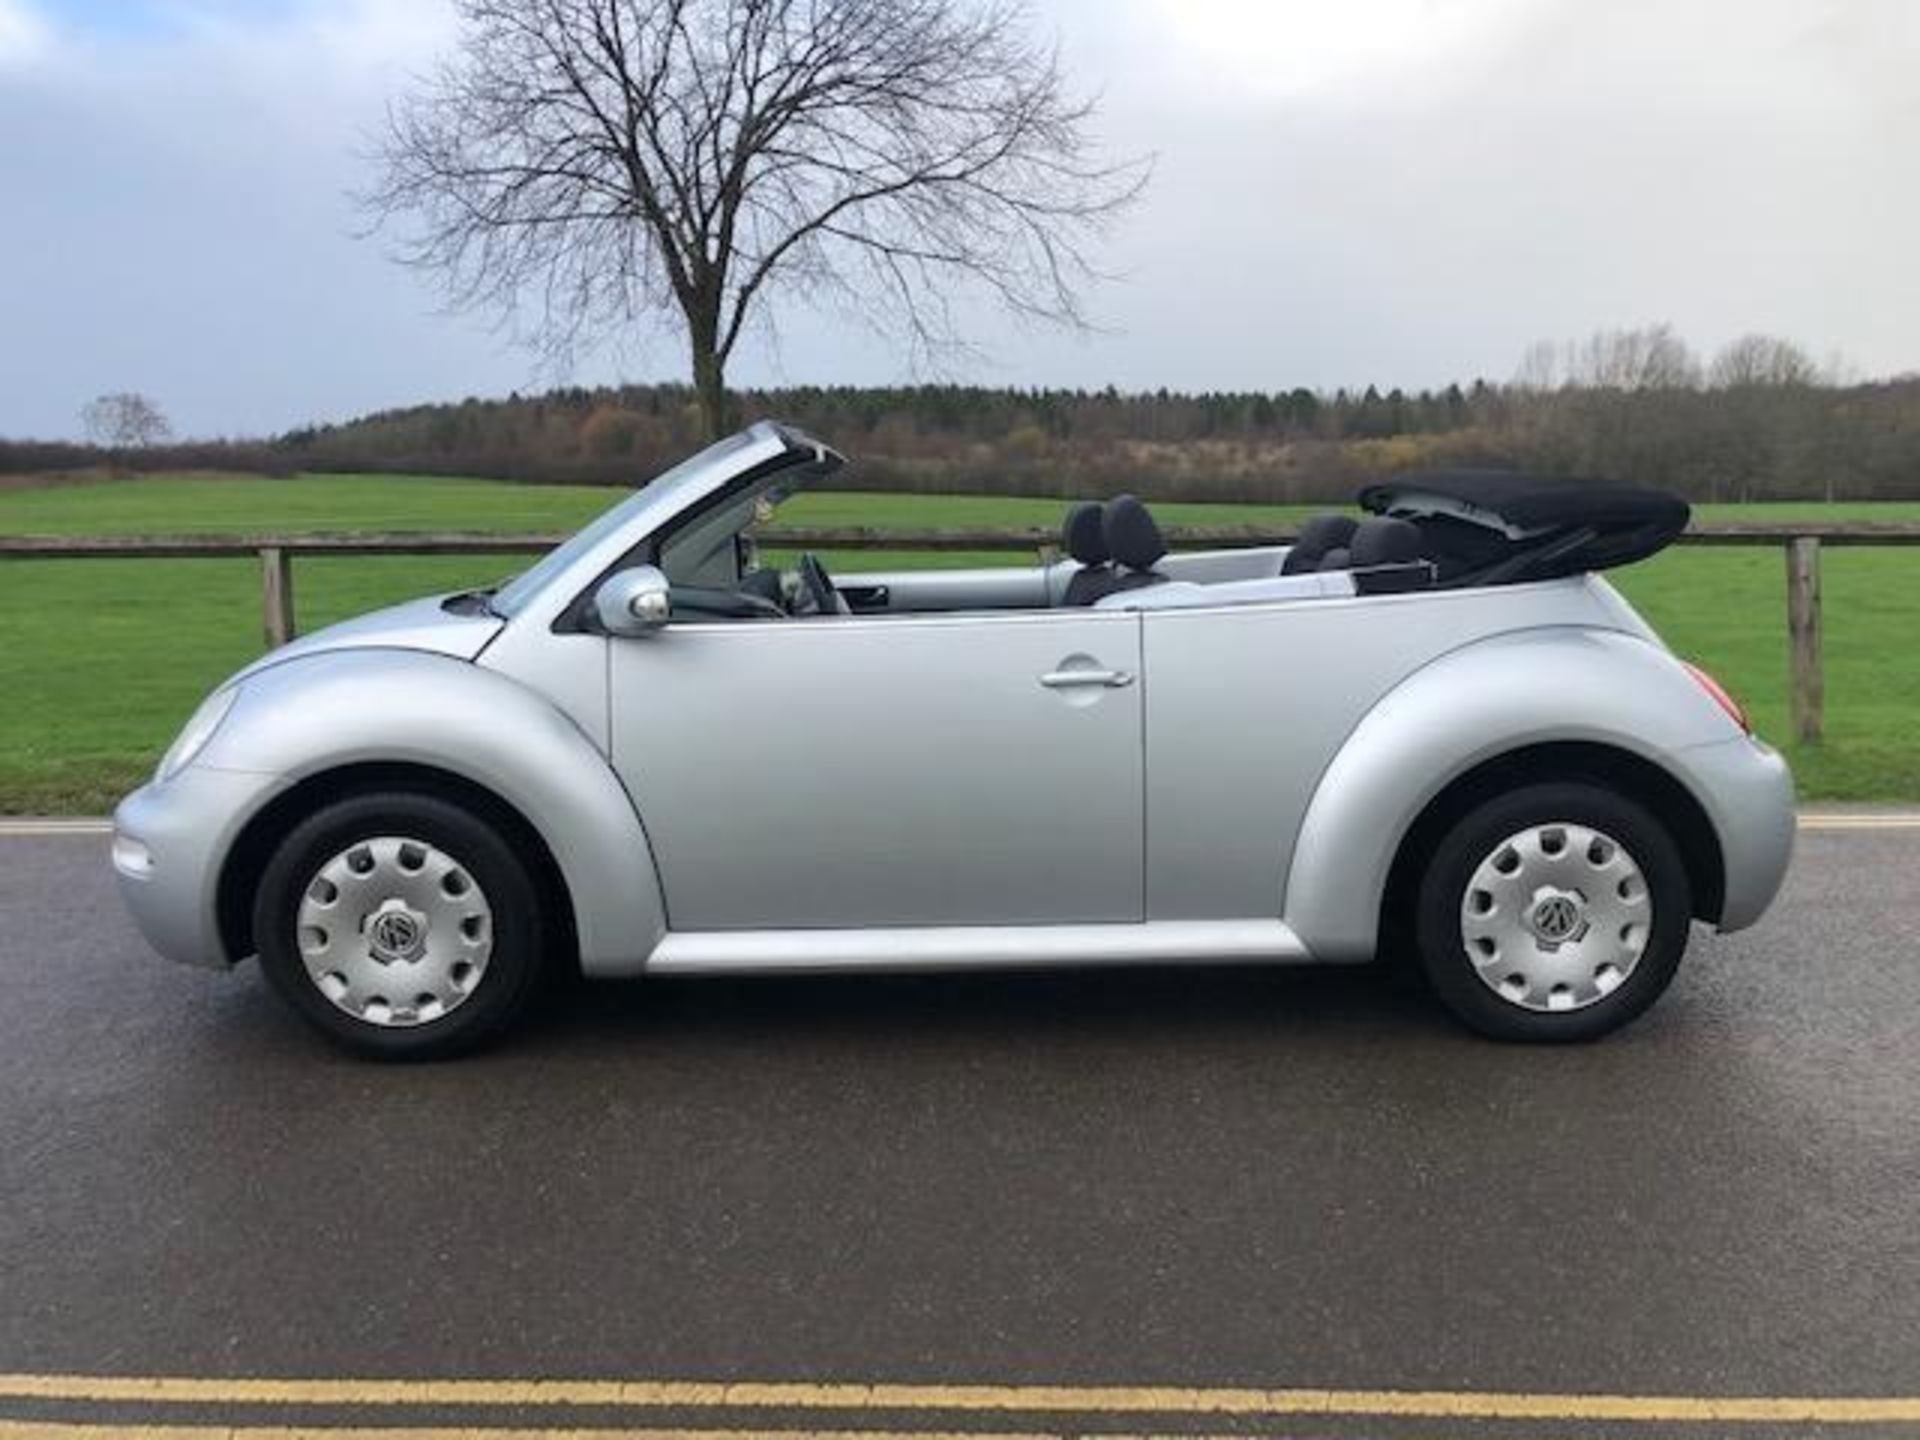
x=1627 y=406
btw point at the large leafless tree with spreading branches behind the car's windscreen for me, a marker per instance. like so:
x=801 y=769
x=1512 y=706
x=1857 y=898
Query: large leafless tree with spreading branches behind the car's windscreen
x=581 y=164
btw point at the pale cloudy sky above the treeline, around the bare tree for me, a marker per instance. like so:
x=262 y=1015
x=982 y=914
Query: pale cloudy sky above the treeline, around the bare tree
x=1347 y=193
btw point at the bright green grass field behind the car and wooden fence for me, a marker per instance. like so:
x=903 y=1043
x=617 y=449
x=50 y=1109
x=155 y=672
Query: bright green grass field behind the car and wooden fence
x=103 y=660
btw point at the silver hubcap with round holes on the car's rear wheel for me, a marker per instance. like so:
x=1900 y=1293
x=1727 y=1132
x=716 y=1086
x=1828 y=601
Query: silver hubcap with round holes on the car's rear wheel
x=1556 y=919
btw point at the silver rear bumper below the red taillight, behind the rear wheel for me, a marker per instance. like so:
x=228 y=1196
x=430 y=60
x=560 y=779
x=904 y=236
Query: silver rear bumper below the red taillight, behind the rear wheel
x=1748 y=792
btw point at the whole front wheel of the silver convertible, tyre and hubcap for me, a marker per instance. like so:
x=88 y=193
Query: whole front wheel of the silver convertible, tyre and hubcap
x=402 y=926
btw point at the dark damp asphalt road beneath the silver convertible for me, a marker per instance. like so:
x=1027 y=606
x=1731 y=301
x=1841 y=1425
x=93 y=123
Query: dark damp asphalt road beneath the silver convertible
x=1124 y=1180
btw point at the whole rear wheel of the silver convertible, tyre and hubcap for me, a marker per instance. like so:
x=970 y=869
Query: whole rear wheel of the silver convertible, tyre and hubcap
x=1554 y=913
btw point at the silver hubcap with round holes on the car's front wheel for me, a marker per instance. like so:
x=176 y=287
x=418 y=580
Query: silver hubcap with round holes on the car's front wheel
x=395 y=932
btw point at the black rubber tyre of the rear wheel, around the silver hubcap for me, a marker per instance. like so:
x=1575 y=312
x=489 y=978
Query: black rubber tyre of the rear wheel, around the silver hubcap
x=1476 y=836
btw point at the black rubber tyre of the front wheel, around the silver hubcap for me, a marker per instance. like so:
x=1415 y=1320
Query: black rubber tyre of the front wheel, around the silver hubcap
x=514 y=967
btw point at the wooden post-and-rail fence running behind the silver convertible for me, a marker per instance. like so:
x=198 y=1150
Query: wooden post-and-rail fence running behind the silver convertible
x=1800 y=542
